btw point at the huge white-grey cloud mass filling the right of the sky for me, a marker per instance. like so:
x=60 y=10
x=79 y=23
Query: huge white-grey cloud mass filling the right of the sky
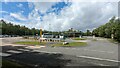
x=80 y=16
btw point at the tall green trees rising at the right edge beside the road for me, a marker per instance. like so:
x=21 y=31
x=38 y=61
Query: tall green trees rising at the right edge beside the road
x=110 y=29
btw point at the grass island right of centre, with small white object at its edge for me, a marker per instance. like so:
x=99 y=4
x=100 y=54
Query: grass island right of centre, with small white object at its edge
x=72 y=44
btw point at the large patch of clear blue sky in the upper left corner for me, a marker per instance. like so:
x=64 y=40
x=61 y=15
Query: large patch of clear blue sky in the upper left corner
x=13 y=7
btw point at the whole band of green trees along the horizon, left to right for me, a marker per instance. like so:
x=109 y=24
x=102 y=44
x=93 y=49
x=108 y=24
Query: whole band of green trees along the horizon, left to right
x=112 y=28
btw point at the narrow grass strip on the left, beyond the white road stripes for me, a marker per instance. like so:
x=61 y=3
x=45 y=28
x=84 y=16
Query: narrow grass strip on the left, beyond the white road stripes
x=30 y=43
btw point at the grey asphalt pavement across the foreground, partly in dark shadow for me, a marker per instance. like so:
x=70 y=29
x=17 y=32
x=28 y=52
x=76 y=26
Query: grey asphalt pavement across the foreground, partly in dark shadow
x=96 y=53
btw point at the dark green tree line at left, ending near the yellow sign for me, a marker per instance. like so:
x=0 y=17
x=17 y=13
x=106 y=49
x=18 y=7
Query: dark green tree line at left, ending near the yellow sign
x=10 y=29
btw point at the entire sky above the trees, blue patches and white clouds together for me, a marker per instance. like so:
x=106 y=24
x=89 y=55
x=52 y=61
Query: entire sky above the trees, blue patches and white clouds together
x=59 y=16
